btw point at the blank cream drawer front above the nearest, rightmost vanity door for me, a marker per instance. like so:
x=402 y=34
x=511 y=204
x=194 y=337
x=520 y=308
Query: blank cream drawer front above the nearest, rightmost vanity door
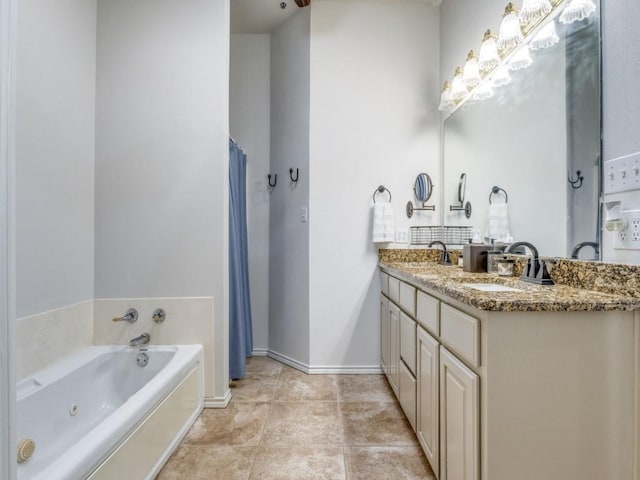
x=461 y=333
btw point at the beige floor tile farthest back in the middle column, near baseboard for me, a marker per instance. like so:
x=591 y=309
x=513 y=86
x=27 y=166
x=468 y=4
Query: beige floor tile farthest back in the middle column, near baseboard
x=294 y=385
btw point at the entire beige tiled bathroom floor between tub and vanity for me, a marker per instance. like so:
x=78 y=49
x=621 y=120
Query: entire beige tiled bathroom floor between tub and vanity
x=283 y=424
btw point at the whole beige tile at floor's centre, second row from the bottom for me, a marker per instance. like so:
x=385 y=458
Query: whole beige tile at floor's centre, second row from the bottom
x=310 y=423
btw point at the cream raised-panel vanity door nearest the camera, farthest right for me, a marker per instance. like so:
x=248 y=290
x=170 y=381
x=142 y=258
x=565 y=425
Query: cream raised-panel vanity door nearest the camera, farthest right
x=459 y=420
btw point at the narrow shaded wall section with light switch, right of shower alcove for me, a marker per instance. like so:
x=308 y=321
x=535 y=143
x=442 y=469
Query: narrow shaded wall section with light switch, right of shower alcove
x=289 y=238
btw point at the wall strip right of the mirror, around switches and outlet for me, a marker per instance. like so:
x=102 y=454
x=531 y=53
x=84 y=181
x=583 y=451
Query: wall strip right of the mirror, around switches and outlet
x=621 y=102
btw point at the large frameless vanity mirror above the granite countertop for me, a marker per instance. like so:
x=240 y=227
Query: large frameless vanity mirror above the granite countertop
x=538 y=138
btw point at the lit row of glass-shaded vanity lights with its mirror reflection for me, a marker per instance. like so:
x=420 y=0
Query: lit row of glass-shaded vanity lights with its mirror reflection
x=530 y=28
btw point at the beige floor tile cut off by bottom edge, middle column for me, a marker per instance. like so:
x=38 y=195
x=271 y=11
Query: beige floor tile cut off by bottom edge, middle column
x=298 y=463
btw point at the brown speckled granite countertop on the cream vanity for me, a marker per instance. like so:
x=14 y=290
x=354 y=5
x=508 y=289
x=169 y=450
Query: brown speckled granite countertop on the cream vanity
x=450 y=281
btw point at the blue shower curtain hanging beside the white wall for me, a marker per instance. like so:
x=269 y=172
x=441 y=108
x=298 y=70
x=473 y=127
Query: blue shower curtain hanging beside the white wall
x=240 y=330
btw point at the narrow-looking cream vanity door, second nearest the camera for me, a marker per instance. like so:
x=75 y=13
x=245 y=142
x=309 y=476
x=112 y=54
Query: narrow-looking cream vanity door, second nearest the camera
x=428 y=419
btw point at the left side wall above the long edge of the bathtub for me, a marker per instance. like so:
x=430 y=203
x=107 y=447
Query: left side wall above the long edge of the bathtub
x=55 y=128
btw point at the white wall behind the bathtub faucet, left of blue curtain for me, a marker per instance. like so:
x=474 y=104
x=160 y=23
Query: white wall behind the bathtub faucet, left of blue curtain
x=162 y=155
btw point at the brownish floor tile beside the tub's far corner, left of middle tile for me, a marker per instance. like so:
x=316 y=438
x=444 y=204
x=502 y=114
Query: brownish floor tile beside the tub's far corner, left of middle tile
x=238 y=424
